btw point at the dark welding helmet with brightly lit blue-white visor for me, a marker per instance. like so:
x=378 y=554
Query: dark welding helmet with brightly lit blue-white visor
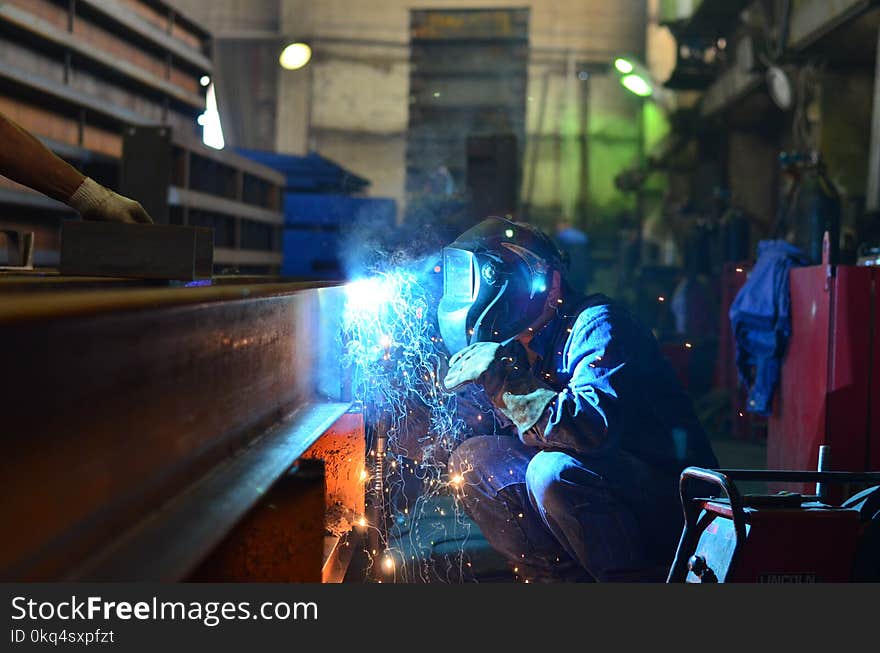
x=497 y=277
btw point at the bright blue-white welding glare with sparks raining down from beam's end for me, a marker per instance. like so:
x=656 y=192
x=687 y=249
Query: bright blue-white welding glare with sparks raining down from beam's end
x=391 y=344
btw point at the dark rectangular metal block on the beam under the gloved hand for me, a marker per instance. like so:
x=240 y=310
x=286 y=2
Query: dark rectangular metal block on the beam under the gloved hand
x=109 y=249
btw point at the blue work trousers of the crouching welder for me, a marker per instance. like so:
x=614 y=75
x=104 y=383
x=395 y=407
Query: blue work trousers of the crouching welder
x=557 y=517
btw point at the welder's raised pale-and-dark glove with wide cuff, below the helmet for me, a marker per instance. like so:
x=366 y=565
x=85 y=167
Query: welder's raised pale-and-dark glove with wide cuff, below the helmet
x=506 y=377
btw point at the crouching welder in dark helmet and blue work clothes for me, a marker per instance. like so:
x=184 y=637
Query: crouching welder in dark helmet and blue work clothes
x=585 y=485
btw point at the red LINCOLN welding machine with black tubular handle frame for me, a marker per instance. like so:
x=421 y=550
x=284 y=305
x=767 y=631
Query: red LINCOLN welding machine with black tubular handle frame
x=776 y=538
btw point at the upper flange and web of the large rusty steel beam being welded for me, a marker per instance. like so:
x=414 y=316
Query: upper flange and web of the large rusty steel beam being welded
x=121 y=400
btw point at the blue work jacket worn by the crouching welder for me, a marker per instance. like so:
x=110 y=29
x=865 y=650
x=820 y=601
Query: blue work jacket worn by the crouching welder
x=604 y=385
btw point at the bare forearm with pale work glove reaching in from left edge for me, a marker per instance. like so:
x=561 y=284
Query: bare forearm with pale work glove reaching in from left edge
x=27 y=161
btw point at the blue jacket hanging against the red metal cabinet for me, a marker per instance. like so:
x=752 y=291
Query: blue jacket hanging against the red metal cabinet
x=760 y=317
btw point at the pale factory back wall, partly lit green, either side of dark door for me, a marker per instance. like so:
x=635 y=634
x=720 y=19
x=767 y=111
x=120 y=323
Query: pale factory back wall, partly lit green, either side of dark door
x=351 y=103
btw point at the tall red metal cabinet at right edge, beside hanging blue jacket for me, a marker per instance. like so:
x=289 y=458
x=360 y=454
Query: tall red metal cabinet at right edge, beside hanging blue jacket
x=829 y=384
